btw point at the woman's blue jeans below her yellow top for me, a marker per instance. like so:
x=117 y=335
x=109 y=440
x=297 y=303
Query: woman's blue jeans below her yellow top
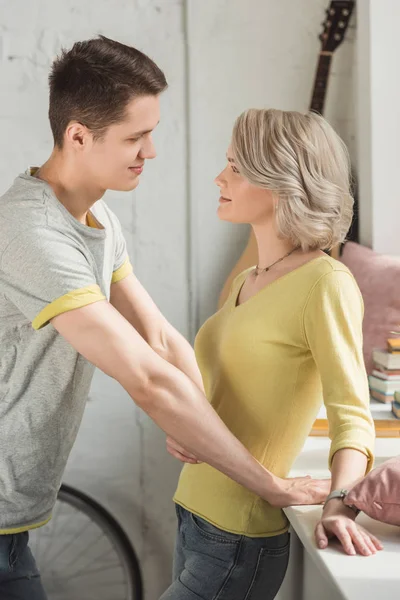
x=211 y=564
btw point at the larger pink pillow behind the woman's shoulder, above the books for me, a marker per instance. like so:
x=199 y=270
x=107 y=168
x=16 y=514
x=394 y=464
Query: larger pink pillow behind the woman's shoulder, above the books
x=378 y=277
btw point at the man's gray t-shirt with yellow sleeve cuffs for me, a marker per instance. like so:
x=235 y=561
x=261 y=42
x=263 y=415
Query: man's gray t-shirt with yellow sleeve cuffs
x=49 y=263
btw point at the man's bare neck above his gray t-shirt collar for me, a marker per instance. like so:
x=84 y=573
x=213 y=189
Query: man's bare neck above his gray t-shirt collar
x=69 y=185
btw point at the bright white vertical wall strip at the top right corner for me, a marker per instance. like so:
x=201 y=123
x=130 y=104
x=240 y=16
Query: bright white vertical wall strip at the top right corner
x=379 y=124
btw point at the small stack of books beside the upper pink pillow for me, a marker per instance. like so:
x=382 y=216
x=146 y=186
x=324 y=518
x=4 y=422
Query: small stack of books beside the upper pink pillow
x=385 y=378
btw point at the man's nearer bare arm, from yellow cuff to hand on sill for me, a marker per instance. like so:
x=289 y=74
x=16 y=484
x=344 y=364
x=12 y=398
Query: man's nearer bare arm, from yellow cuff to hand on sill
x=105 y=338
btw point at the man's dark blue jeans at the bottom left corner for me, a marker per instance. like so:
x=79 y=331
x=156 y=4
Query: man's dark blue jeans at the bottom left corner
x=19 y=576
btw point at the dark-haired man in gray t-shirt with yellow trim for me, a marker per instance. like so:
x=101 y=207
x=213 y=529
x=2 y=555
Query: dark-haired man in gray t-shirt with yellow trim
x=69 y=302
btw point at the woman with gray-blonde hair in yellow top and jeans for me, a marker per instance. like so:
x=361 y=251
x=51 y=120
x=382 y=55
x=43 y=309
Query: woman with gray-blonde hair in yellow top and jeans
x=289 y=334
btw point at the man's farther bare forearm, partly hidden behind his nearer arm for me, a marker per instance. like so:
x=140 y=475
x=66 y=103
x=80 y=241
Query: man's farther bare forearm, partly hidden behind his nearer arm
x=132 y=301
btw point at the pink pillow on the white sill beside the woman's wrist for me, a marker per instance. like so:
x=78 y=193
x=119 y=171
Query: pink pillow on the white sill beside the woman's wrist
x=378 y=494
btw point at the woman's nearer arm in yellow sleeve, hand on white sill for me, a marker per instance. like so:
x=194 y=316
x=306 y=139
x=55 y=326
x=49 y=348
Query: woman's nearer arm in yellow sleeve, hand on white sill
x=333 y=328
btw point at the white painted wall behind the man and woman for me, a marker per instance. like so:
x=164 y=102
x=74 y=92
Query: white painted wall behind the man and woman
x=240 y=54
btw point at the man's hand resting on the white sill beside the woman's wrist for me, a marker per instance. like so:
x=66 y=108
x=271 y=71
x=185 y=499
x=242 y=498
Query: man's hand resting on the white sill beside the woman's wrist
x=299 y=490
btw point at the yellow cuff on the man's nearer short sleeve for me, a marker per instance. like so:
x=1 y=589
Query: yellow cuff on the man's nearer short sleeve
x=71 y=301
